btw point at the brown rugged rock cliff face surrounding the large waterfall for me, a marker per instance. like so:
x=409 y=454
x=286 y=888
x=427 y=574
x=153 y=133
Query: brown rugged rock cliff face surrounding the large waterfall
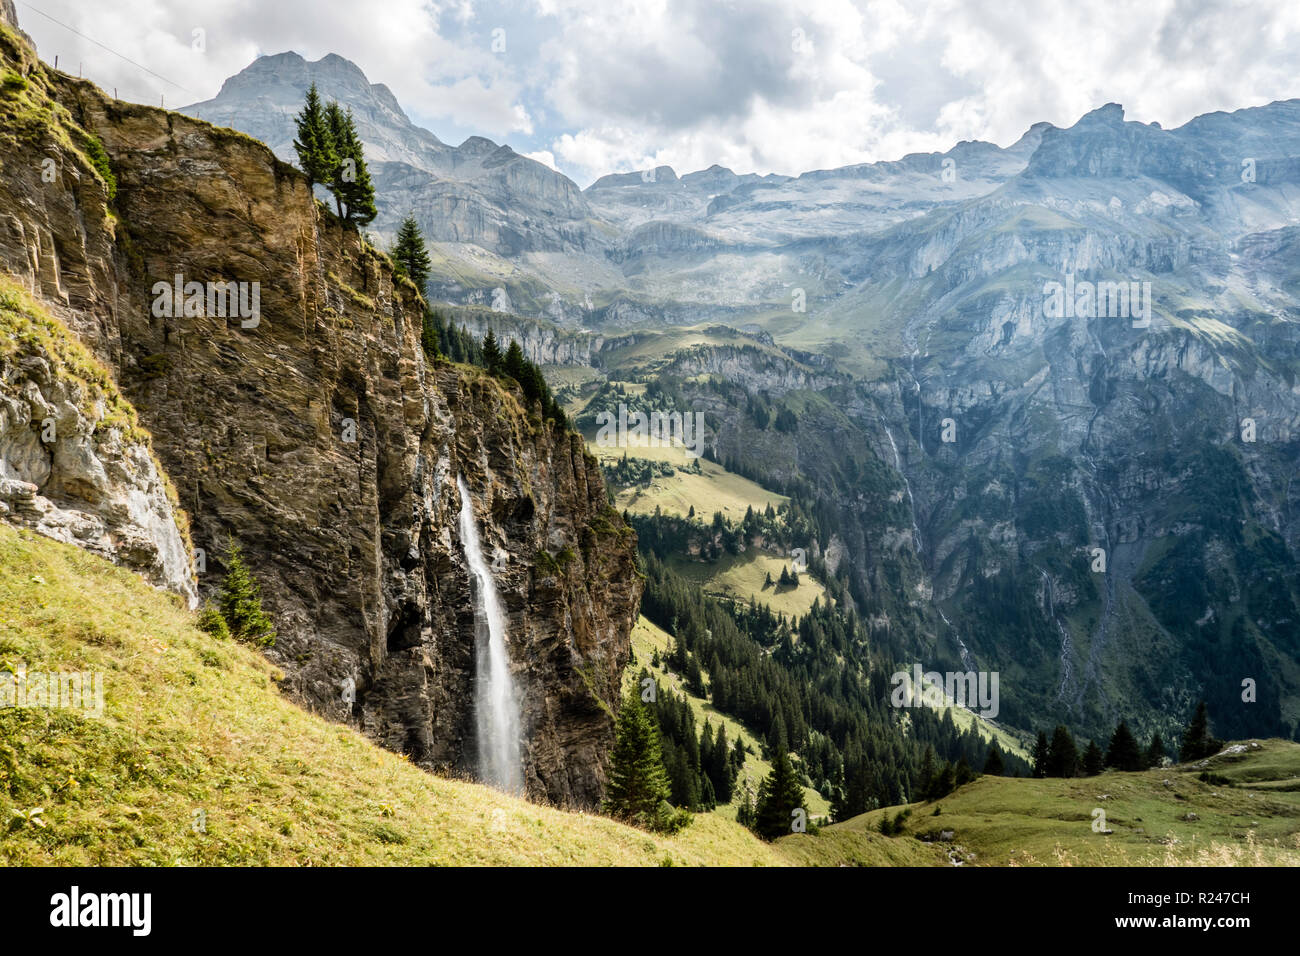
x=318 y=436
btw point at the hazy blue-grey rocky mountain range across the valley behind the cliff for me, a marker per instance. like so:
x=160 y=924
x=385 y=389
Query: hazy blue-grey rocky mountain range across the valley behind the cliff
x=1064 y=498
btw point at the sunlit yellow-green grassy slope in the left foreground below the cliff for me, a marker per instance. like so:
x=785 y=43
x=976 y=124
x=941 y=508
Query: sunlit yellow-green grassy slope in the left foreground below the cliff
x=193 y=724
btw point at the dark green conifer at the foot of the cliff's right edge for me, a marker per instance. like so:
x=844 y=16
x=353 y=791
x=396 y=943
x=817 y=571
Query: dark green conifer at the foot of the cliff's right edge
x=639 y=784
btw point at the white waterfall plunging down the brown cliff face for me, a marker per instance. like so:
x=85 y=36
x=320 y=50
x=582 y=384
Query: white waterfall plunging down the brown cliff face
x=496 y=702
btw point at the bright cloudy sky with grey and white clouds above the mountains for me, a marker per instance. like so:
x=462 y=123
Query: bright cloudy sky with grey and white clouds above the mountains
x=596 y=86
